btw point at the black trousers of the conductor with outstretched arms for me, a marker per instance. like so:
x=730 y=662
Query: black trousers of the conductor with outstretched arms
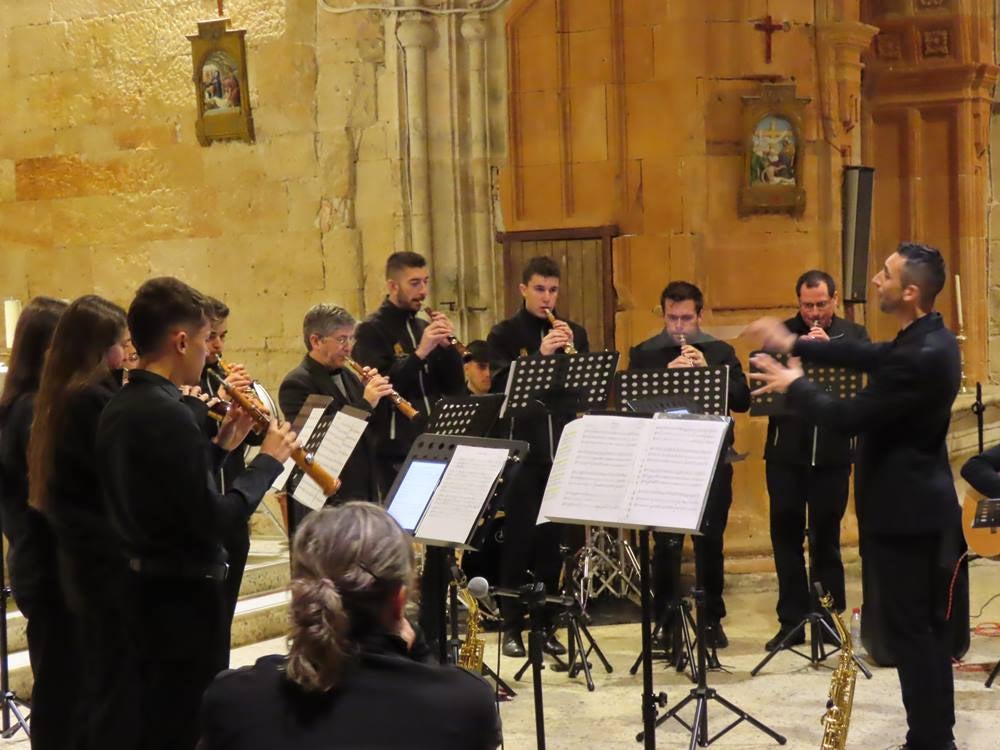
x=913 y=585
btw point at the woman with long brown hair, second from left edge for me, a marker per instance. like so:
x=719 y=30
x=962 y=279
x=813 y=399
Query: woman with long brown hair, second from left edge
x=77 y=383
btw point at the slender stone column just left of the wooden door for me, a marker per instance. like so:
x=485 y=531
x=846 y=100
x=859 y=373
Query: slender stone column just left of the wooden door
x=474 y=33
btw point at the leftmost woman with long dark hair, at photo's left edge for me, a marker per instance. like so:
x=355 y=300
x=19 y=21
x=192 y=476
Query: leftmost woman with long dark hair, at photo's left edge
x=31 y=548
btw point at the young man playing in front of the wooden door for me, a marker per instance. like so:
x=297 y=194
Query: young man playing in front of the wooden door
x=528 y=546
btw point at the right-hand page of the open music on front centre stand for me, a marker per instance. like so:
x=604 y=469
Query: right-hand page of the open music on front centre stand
x=672 y=482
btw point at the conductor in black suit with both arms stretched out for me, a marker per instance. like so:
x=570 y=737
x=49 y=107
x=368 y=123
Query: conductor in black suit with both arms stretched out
x=908 y=512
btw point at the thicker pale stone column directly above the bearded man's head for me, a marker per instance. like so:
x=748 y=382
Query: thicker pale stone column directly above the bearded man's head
x=416 y=35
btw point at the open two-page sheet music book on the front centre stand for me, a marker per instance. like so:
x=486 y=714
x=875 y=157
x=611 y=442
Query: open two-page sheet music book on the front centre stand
x=634 y=472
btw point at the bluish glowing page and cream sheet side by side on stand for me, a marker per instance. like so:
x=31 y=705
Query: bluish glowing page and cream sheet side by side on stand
x=441 y=504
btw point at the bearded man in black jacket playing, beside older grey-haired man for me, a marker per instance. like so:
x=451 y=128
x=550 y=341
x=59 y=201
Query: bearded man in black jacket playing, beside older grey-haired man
x=419 y=360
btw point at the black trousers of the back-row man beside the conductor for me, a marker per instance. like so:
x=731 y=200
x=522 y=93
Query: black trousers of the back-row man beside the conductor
x=823 y=491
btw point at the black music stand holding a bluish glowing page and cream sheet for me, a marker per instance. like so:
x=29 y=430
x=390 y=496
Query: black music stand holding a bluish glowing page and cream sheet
x=430 y=450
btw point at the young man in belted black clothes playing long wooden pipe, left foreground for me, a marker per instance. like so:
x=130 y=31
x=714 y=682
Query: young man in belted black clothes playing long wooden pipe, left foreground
x=157 y=467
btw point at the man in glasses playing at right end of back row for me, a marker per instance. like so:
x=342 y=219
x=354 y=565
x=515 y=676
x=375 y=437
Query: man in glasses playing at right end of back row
x=808 y=467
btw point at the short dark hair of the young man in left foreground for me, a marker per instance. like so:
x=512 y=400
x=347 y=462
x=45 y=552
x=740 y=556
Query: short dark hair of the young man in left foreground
x=160 y=305
